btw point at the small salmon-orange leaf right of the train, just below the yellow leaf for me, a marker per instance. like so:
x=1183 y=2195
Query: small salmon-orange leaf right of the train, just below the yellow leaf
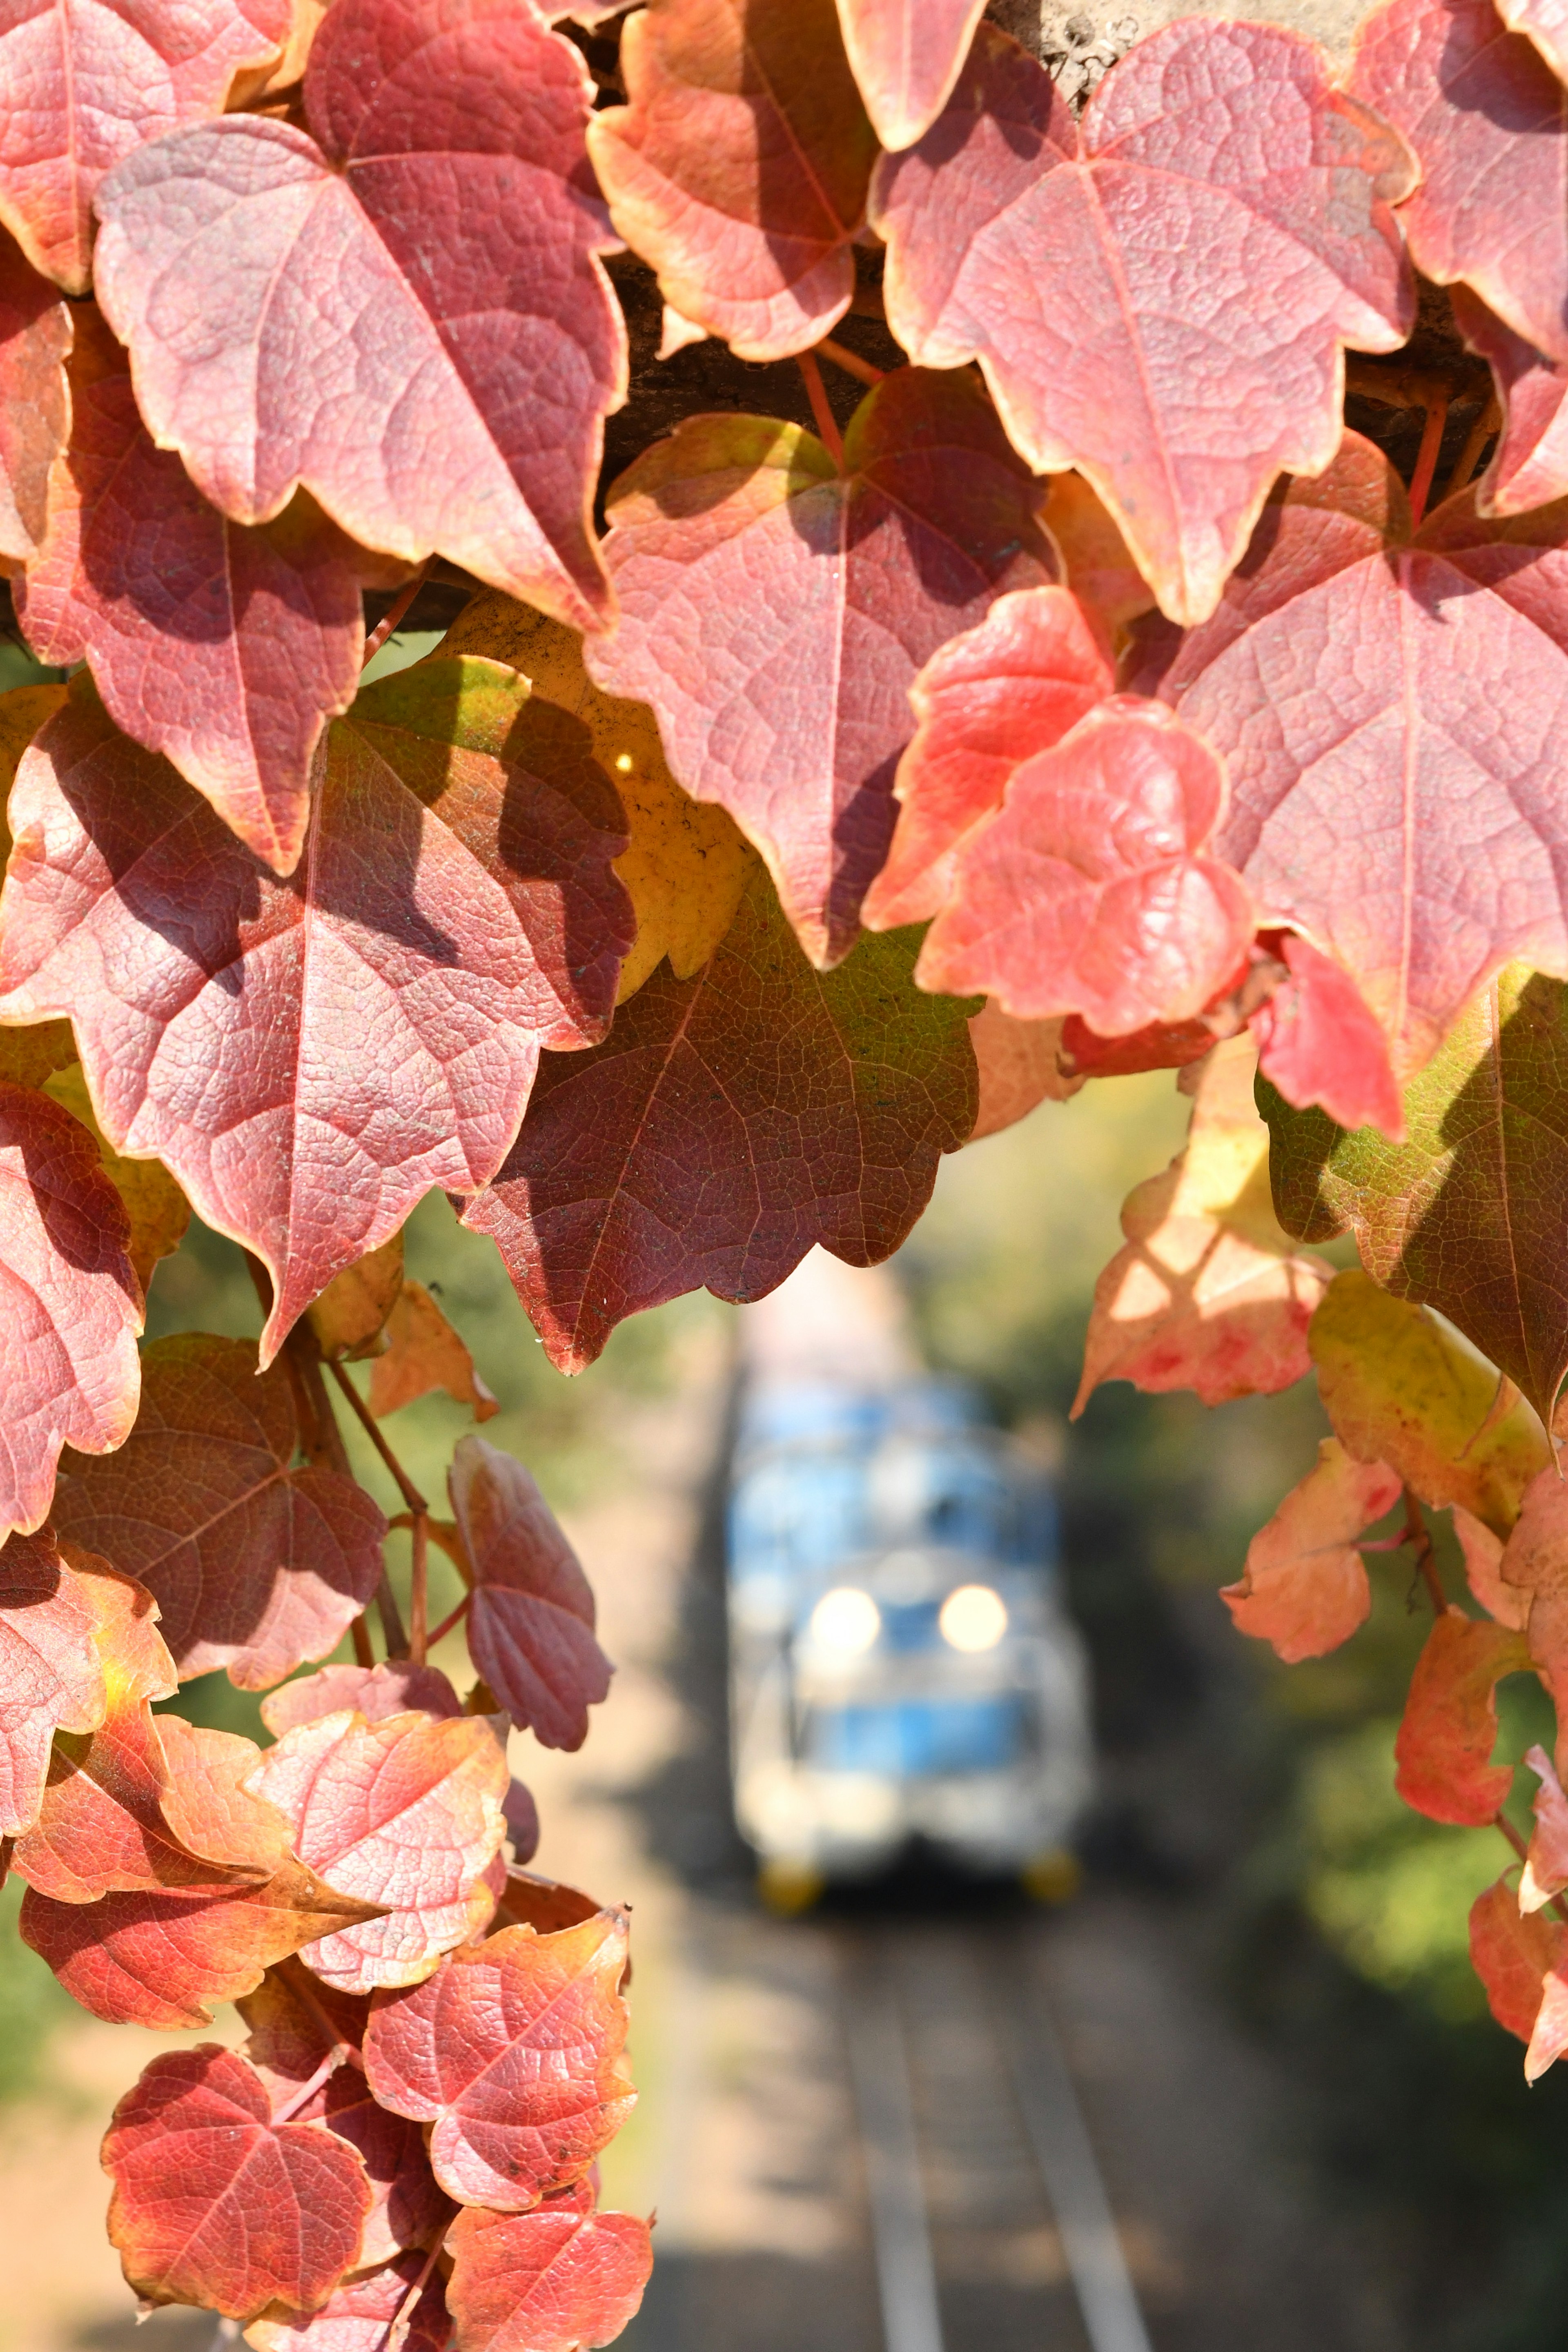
x=1306 y=1584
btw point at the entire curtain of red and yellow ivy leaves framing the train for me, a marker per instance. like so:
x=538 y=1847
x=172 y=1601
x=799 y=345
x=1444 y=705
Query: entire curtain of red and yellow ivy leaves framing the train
x=706 y=886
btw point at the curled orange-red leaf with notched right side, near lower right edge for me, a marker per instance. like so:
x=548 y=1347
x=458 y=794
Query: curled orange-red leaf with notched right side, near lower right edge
x=1452 y=1720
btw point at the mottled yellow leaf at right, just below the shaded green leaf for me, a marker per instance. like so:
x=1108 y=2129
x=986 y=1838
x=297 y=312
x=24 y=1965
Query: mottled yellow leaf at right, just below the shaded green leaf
x=1405 y=1389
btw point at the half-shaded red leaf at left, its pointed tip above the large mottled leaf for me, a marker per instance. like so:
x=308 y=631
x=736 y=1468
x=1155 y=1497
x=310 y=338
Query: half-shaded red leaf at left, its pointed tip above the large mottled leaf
x=217 y=646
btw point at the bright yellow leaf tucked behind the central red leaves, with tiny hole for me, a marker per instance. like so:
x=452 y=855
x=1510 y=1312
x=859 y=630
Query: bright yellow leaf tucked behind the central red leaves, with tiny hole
x=685 y=864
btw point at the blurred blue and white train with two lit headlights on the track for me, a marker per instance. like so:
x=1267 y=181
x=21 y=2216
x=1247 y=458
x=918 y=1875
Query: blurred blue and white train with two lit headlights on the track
x=902 y=1664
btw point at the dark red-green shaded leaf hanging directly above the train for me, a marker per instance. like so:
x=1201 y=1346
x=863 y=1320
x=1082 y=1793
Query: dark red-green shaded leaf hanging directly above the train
x=730 y=1123
